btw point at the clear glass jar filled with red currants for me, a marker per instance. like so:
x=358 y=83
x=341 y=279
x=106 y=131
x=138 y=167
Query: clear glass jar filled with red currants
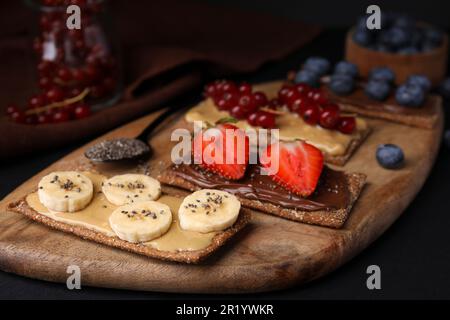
x=78 y=64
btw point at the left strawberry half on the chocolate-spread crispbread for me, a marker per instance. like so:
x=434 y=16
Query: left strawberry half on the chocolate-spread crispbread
x=214 y=151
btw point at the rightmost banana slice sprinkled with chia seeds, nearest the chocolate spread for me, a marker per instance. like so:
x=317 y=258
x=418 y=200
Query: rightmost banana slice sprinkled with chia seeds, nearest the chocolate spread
x=208 y=210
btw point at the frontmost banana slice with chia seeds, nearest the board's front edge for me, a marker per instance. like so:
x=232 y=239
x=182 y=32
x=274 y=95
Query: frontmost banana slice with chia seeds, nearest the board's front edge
x=141 y=222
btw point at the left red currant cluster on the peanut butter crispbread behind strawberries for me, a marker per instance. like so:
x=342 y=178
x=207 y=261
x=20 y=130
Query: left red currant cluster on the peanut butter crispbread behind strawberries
x=242 y=103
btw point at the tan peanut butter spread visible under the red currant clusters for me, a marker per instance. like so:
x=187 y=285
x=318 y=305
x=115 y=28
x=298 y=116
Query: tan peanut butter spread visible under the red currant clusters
x=291 y=126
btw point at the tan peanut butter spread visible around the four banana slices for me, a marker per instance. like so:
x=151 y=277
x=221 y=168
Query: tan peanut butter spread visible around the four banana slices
x=96 y=217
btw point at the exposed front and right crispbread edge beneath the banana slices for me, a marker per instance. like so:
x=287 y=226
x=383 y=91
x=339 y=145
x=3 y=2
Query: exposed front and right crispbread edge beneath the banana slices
x=196 y=256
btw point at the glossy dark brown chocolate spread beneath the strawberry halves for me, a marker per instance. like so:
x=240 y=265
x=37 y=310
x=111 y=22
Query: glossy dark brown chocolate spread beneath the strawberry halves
x=331 y=193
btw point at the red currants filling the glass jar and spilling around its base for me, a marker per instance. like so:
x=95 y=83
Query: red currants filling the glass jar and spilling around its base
x=74 y=67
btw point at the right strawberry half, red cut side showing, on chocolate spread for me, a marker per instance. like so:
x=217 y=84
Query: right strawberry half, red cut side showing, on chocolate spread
x=300 y=166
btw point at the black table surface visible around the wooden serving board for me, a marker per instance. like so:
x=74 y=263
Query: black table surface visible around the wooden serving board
x=413 y=254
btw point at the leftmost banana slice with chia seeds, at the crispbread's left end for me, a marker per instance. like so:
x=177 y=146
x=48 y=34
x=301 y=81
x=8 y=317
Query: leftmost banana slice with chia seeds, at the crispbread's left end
x=65 y=191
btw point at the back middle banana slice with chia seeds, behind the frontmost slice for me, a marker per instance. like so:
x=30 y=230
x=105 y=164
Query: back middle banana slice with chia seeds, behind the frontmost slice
x=131 y=188
